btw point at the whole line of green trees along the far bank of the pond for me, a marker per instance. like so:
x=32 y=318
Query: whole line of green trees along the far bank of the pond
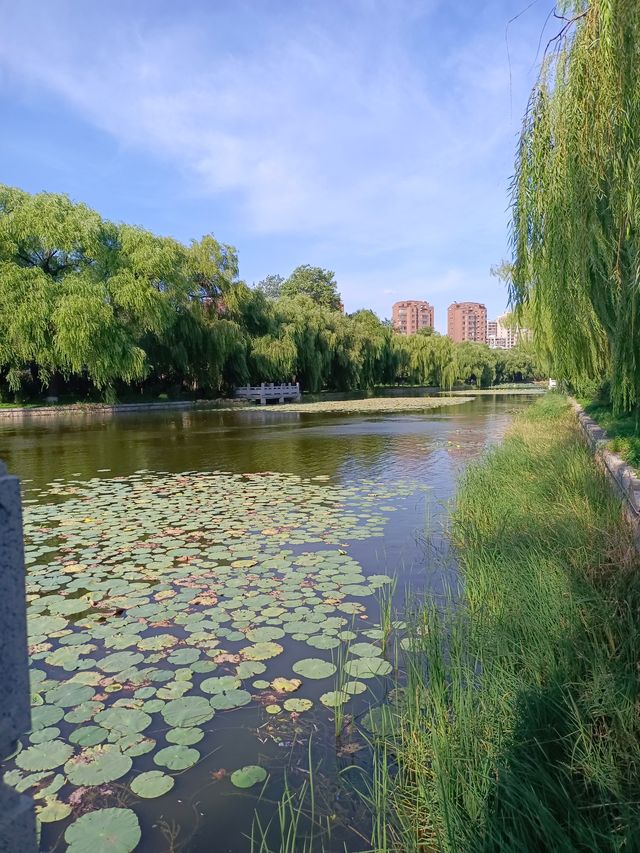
x=92 y=308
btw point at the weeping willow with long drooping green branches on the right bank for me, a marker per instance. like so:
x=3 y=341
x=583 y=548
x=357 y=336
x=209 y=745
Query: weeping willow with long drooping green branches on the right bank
x=576 y=222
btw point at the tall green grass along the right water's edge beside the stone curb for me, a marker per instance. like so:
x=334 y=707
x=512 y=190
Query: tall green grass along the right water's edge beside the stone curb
x=519 y=726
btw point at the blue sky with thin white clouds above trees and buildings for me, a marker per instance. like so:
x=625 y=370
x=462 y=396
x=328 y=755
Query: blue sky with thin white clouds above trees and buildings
x=372 y=137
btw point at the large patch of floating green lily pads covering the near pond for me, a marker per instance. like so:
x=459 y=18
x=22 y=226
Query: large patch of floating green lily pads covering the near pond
x=157 y=601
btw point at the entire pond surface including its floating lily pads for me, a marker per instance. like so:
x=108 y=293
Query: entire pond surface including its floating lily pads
x=178 y=564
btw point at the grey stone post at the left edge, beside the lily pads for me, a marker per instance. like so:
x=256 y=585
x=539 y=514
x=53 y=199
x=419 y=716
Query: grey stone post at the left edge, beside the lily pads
x=17 y=821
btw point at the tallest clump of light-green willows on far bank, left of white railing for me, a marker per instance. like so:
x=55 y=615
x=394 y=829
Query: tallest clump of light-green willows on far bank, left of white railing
x=81 y=297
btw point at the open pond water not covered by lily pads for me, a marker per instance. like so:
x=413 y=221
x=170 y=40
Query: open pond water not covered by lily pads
x=204 y=813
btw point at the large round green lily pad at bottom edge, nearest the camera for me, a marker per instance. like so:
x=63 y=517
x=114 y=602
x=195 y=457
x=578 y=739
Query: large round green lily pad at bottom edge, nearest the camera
x=104 y=831
